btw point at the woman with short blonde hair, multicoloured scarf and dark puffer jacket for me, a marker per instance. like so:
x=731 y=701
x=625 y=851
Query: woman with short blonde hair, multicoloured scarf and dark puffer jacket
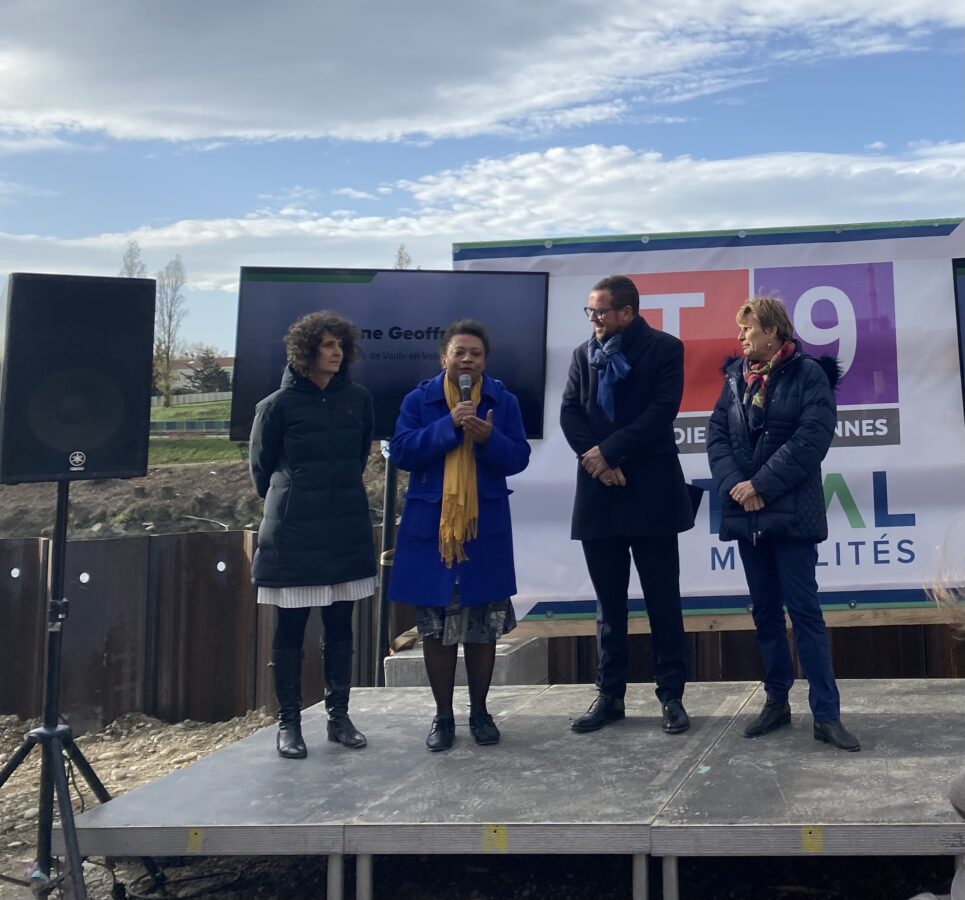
x=768 y=434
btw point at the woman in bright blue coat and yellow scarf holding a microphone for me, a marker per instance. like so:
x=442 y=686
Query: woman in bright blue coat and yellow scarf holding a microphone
x=459 y=435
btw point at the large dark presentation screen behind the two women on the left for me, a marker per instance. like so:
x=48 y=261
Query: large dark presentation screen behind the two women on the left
x=402 y=315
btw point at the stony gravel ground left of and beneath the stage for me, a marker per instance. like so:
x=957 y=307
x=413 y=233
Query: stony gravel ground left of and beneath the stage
x=137 y=749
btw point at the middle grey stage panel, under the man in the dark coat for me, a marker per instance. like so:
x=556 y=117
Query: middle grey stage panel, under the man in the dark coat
x=544 y=789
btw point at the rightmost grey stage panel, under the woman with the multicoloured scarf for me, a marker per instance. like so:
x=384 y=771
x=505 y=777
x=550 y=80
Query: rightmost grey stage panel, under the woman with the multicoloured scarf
x=786 y=794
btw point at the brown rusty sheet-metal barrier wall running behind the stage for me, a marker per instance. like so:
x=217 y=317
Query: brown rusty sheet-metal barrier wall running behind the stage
x=168 y=625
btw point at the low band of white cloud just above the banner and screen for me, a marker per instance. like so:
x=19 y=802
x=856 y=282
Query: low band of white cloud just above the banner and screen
x=593 y=189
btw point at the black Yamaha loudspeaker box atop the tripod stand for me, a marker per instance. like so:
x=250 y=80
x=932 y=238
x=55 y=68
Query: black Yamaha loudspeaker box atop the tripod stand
x=75 y=377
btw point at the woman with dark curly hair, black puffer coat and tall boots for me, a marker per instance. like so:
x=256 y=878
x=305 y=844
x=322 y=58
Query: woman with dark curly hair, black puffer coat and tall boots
x=309 y=445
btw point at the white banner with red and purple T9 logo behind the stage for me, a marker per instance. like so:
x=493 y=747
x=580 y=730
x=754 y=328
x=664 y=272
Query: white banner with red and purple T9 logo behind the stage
x=880 y=297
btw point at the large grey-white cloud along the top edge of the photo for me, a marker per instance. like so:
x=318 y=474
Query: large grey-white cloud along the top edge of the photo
x=427 y=70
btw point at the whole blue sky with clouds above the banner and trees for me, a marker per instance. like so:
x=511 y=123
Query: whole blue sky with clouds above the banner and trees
x=299 y=133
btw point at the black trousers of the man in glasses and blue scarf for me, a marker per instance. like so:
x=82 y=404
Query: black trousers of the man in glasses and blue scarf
x=658 y=565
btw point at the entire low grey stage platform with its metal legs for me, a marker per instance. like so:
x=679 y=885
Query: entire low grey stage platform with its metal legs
x=628 y=788
